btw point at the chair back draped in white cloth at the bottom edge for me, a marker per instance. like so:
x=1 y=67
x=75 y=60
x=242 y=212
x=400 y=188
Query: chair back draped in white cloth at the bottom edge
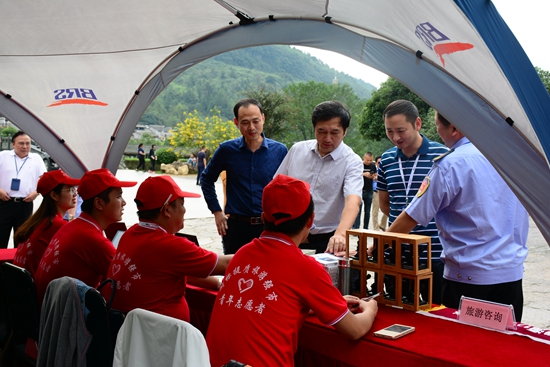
x=149 y=339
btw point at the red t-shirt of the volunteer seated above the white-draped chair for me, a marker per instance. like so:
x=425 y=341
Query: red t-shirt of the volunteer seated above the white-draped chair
x=150 y=268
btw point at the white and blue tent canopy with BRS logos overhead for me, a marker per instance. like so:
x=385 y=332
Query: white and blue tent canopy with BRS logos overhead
x=77 y=76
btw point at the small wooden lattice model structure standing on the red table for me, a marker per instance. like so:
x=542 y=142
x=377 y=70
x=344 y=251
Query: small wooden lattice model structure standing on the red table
x=399 y=267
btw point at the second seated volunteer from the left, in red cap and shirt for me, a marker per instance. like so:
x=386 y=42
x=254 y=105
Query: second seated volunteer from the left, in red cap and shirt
x=80 y=249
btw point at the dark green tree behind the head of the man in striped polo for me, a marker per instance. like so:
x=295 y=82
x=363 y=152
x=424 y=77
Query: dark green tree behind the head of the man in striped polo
x=371 y=122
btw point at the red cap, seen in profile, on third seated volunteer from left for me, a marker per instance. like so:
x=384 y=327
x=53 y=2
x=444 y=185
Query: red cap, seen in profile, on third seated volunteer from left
x=157 y=191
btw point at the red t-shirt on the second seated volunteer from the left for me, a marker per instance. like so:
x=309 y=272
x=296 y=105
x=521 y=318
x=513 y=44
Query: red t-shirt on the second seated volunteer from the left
x=79 y=250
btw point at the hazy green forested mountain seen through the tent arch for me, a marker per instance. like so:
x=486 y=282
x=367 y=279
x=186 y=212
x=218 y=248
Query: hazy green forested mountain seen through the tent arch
x=222 y=80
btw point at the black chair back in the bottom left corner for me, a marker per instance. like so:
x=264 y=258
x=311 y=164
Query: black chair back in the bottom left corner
x=23 y=308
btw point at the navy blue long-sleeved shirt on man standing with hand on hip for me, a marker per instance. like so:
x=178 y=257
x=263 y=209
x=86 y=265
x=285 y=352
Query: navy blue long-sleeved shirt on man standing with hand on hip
x=247 y=174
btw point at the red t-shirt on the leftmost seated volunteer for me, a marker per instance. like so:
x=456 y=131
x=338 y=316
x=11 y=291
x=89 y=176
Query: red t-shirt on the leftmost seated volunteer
x=30 y=252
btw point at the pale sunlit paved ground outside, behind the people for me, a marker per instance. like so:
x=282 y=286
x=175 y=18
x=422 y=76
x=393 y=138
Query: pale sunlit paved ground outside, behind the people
x=200 y=222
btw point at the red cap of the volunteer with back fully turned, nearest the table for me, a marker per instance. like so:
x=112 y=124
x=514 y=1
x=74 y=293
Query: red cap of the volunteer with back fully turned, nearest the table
x=285 y=196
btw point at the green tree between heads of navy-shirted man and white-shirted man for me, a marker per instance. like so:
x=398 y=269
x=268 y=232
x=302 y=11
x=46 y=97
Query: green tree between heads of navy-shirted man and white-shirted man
x=275 y=110
